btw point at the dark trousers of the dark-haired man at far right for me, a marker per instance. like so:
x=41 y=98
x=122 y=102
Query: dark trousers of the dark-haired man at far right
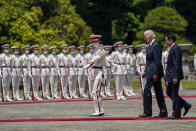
x=177 y=102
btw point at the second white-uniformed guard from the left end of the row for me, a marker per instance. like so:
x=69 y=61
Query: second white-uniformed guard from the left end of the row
x=16 y=72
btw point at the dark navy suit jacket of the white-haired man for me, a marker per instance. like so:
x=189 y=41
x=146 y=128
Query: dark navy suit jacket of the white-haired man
x=153 y=61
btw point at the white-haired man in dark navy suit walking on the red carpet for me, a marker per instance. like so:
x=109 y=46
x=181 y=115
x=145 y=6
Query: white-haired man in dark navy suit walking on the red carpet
x=153 y=74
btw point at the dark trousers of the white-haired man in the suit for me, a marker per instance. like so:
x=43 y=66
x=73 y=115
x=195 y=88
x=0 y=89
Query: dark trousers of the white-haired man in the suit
x=159 y=96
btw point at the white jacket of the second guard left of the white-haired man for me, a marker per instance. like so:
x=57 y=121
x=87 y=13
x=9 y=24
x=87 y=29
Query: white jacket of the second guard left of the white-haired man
x=131 y=63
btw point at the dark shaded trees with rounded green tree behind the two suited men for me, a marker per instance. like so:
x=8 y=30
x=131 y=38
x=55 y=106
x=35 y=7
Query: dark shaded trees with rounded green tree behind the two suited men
x=127 y=19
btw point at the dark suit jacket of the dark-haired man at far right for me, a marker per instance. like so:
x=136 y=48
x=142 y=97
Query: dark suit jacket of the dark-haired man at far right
x=174 y=64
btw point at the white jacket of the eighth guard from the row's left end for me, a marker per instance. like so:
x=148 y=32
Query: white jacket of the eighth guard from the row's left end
x=73 y=60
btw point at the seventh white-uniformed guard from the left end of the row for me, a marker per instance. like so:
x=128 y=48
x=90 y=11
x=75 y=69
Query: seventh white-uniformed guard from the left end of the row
x=64 y=71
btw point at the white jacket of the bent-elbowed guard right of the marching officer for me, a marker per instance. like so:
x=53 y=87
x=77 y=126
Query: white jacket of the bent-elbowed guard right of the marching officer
x=119 y=62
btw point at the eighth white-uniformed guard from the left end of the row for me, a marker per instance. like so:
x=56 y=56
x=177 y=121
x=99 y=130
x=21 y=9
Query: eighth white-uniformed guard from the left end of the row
x=73 y=78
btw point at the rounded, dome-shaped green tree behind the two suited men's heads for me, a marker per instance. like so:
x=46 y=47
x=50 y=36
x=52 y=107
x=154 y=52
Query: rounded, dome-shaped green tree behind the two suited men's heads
x=163 y=20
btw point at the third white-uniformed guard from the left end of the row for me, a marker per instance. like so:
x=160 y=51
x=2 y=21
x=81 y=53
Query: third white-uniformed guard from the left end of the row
x=26 y=71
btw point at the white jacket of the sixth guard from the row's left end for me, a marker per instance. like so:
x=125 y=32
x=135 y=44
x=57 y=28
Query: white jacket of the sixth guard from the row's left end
x=54 y=65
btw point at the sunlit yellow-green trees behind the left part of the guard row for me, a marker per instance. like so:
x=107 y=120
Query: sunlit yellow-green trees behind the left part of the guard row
x=51 y=22
